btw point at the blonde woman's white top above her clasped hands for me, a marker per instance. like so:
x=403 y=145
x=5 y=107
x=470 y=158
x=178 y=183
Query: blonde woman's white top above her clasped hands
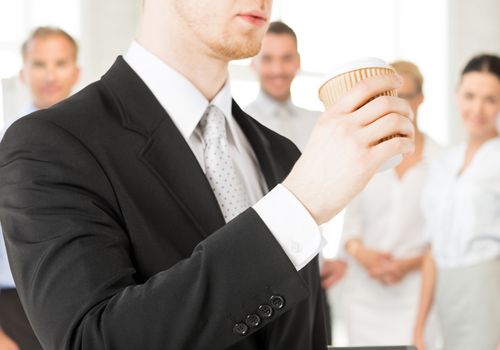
x=386 y=215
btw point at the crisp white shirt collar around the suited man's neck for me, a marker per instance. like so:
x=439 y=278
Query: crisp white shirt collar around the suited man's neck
x=184 y=103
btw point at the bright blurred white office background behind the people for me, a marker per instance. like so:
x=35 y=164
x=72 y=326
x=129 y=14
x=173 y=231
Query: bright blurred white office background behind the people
x=438 y=35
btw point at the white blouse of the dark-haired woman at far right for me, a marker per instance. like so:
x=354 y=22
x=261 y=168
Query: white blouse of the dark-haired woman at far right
x=462 y=211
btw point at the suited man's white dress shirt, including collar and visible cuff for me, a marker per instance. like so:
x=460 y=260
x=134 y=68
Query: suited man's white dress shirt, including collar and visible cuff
x=287 y=219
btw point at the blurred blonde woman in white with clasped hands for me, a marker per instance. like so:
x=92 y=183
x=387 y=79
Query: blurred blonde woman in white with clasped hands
x=384 y=240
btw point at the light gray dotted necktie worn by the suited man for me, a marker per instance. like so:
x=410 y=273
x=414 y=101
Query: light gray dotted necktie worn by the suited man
x=225 y=181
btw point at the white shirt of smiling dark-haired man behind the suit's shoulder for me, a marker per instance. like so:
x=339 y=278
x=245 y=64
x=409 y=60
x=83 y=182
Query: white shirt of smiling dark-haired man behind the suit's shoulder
x=285 y=118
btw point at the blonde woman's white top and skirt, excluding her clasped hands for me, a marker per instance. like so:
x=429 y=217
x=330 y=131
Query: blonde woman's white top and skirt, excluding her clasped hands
x=386 y=216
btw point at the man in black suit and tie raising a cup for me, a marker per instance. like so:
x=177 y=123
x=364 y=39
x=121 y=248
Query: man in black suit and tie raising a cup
x=120 y=206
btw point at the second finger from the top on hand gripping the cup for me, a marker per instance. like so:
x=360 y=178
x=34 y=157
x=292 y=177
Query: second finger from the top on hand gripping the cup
x=382 y=106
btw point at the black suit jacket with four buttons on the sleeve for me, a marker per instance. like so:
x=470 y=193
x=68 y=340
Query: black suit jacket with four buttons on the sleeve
x=117 y=242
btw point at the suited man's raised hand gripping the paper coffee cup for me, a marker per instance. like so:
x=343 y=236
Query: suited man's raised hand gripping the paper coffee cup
x=345 y=148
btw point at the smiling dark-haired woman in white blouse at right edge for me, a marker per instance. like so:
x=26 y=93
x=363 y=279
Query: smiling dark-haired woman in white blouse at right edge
x=462 y=211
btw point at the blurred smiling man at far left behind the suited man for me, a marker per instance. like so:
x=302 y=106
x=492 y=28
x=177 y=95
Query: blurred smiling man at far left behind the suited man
x=50 y=71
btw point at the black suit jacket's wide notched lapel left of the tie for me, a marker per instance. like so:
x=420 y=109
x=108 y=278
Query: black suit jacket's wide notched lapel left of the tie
x=165 y=153
